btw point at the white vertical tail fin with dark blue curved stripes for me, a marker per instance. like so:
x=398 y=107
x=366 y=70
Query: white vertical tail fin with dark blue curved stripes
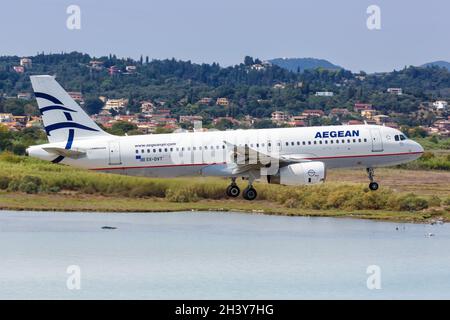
x=64 y=119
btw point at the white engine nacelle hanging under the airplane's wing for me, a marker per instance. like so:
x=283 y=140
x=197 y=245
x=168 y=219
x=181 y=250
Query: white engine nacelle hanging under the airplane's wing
x=300 y=174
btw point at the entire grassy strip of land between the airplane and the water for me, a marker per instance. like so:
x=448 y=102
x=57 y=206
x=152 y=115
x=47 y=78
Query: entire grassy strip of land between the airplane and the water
x=405 y=195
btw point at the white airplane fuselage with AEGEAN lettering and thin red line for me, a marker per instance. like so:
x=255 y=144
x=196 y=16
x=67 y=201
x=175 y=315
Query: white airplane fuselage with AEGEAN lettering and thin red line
x=208 y=153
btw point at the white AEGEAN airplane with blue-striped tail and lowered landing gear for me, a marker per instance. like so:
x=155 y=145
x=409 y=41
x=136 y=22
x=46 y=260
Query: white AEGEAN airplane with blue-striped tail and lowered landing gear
x=286 y=156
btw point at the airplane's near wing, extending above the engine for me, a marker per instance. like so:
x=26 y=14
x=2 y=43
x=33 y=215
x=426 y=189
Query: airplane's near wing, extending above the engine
x=246 y=158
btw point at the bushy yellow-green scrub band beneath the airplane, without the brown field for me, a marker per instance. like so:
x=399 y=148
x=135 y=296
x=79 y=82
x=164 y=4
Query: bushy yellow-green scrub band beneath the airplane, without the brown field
x=22 y=175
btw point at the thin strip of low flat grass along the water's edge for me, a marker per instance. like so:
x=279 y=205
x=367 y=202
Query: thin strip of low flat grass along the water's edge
x=91 y=203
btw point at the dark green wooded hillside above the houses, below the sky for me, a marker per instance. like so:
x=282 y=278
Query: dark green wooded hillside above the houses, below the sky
x=181 y=84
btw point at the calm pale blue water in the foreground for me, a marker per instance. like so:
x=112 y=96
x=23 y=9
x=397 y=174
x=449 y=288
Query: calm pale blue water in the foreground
x=218 y=256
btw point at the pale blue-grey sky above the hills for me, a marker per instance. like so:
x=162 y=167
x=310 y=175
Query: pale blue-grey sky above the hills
x=224 y=31
